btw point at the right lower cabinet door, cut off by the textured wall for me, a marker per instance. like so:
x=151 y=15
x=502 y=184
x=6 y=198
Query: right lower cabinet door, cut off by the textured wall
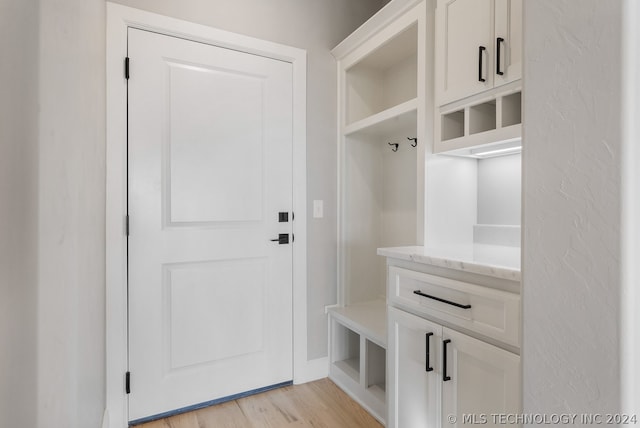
x=484 y=380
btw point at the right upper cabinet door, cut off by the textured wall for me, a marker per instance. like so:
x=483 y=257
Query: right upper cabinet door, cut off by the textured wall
x=508 y=41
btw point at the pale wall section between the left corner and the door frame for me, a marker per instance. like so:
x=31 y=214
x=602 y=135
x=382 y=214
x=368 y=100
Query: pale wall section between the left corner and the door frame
x=71 y=214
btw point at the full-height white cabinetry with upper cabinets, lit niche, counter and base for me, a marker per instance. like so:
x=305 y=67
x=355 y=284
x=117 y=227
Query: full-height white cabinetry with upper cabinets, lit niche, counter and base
x=454 y=302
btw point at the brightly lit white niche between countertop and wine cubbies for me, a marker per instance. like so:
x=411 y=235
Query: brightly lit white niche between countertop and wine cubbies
x=474 y=201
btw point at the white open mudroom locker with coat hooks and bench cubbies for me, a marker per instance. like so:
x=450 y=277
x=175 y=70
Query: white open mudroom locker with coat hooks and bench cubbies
x=381 y=82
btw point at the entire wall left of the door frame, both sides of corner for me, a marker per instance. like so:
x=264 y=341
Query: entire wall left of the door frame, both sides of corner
x=52 y=213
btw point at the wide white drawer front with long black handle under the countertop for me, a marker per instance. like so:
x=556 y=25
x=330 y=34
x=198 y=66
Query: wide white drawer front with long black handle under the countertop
x=490 y=312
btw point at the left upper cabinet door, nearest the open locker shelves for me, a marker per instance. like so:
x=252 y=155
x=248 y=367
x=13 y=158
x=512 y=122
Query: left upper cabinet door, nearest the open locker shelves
x=464 y=48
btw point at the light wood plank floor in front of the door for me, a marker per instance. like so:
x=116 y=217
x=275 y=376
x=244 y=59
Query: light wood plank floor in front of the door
x=319 y=404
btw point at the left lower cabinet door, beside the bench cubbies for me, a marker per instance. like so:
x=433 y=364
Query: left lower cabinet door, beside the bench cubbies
x=413 y=389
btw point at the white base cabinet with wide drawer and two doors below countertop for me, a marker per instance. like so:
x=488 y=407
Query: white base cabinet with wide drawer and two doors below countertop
x=453 y=345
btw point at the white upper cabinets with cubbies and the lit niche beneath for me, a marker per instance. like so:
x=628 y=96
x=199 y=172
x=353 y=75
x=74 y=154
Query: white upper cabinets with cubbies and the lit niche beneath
x=473 y=170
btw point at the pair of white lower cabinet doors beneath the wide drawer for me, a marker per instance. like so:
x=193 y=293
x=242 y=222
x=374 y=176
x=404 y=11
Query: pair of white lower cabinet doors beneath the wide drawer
x=438 y=377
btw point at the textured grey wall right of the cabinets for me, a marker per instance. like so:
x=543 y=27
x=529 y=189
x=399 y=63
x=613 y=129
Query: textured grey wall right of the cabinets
x=572 y=206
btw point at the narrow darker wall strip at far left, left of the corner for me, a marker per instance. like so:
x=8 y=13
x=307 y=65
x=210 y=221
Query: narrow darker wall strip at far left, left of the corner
x=18 y=205
